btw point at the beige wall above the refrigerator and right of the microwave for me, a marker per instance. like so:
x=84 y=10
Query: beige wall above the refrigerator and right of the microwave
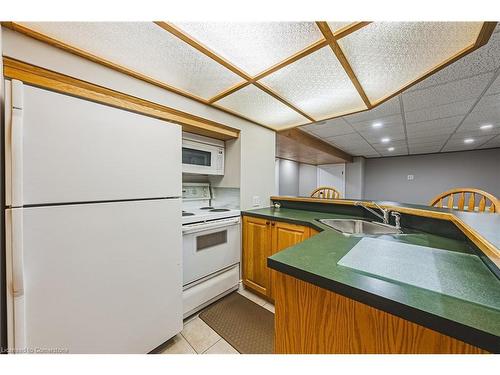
x=256 y=144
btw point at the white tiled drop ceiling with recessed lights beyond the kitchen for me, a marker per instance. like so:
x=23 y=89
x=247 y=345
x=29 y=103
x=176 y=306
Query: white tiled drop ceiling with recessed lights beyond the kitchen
x=436 y=115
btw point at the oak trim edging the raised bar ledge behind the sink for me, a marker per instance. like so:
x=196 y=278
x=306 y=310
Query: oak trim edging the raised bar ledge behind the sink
x=491 y=251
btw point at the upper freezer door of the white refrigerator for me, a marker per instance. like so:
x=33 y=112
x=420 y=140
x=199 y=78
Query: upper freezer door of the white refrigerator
x=67 y=149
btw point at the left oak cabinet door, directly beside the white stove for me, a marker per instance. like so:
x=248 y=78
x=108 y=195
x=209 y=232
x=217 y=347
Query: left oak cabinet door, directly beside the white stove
x=256 y=248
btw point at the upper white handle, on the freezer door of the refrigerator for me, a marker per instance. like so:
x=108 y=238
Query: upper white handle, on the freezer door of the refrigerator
x=17 y=143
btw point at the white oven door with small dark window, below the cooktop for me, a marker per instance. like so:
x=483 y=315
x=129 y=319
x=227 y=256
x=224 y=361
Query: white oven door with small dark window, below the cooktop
x=209 y=247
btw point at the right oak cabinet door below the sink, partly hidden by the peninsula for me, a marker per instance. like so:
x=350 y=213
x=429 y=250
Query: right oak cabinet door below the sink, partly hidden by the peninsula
x=285 y=235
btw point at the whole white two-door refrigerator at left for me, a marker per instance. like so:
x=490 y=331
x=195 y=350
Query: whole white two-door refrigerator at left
x=93 y=226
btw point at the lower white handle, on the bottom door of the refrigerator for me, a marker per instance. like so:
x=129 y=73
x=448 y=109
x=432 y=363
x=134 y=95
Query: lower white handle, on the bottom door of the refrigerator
x=17 y=253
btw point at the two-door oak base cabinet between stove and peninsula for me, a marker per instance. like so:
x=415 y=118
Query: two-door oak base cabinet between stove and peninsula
x=261 y=239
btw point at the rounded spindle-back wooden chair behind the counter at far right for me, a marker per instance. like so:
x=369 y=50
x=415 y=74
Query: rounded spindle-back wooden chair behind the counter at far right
x=467 y=195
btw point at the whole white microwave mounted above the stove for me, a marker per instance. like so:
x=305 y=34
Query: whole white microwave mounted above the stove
x=202 y=155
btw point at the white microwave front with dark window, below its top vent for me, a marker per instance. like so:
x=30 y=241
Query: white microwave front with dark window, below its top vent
x=201 y=158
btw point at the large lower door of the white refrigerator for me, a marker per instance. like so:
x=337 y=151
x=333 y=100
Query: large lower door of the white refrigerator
x=95 y=278
